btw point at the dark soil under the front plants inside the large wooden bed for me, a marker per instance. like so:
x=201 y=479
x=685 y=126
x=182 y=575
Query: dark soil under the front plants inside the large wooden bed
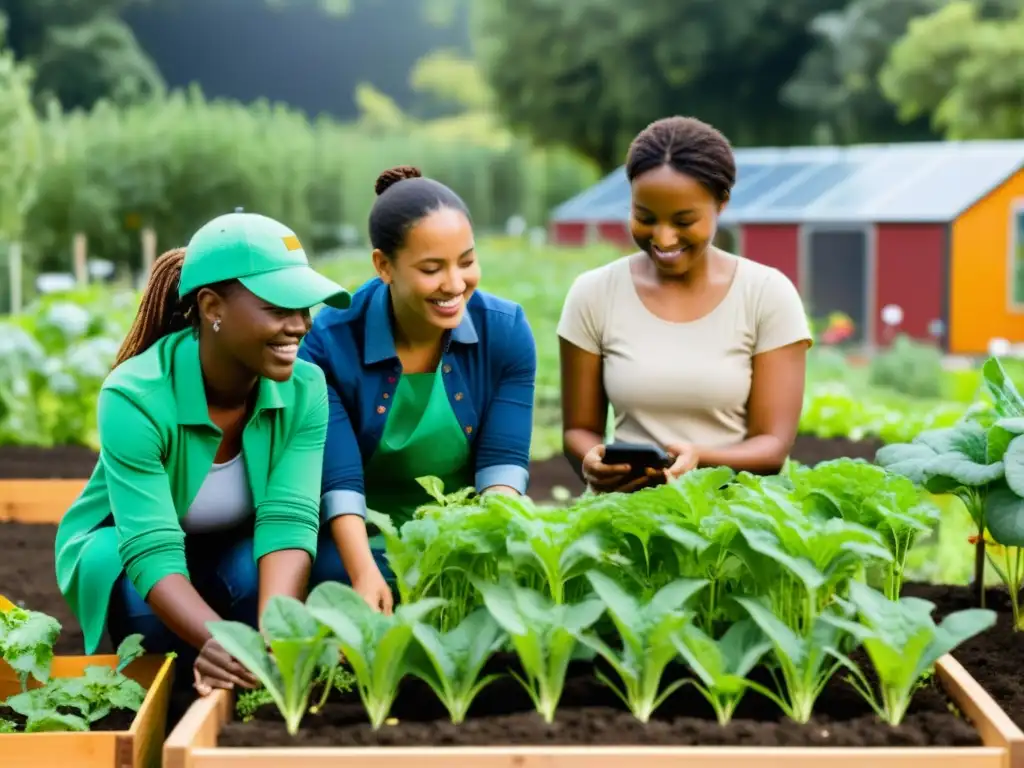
x=590 y=714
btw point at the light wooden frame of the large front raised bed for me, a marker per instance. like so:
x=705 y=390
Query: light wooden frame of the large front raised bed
x=194 y=744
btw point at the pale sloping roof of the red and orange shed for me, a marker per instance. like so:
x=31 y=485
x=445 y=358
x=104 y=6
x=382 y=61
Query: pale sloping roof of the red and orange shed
x=910 y=183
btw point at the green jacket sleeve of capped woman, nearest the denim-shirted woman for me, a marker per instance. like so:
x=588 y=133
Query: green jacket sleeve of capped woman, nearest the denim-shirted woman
x=289 y=516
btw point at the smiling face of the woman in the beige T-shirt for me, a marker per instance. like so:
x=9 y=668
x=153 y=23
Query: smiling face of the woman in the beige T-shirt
x=674 y=220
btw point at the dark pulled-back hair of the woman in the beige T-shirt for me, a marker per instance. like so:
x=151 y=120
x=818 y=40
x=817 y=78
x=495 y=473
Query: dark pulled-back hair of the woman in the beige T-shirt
x=691 y=147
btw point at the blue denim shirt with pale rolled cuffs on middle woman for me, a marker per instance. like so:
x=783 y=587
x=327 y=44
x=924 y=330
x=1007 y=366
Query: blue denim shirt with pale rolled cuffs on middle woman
x=490 y=368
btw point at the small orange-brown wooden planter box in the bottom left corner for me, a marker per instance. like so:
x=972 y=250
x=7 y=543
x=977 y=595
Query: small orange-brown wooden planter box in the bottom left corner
x=139 y=747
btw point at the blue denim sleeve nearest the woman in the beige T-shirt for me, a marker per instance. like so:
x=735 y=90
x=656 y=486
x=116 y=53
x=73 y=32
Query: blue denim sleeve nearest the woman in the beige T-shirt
x=507 y=428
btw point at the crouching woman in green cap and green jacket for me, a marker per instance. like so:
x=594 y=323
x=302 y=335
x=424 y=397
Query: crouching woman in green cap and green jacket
x=205 y=500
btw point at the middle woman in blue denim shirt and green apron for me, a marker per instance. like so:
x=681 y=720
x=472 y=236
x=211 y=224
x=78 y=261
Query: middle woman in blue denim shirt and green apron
x=426 y=375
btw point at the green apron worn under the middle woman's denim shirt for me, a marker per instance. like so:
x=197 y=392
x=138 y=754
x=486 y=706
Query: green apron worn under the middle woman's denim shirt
x=422 y=438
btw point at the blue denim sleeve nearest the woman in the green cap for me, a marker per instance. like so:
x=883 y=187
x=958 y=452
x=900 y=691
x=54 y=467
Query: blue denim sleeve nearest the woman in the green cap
x=343 y=485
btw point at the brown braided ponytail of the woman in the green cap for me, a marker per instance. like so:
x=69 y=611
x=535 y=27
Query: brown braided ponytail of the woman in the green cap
x=161 y=313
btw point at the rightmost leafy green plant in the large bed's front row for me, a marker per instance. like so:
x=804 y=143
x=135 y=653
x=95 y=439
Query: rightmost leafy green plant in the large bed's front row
x=904 y=643
